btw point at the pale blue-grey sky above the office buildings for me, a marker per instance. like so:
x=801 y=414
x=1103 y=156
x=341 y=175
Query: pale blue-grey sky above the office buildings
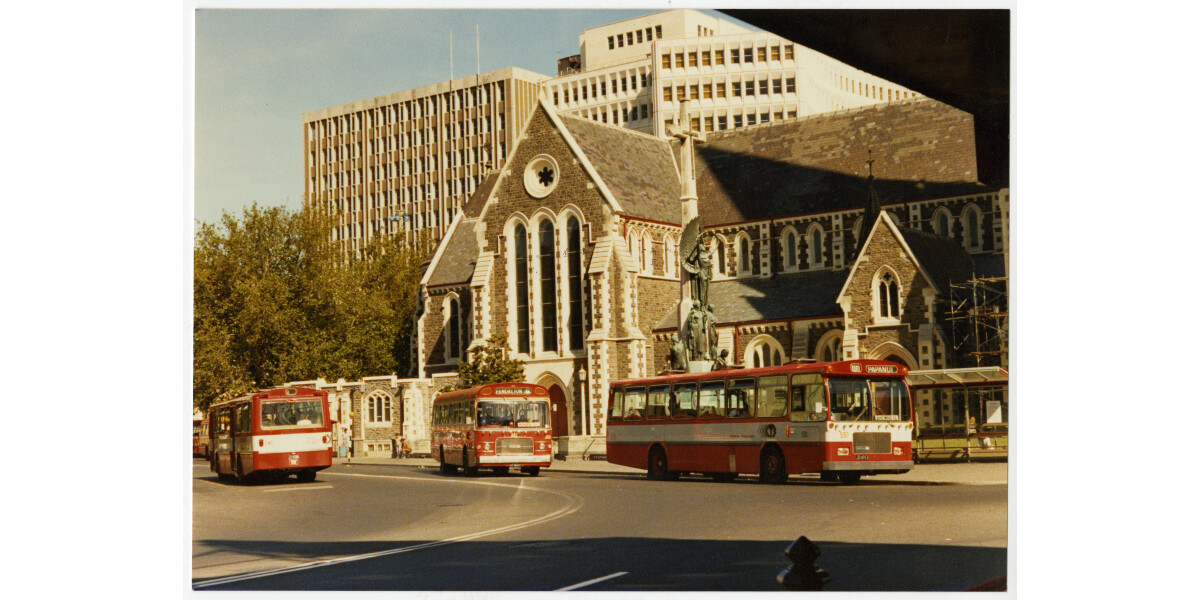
x=259 y=71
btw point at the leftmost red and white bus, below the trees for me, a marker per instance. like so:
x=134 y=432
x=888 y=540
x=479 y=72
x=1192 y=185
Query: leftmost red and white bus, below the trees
x=272 y=434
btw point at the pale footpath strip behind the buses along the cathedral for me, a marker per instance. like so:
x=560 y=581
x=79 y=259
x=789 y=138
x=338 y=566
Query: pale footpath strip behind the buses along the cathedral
x=963 y=473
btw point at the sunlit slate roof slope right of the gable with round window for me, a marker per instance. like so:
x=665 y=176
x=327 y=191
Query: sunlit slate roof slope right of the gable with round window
x=639 y=170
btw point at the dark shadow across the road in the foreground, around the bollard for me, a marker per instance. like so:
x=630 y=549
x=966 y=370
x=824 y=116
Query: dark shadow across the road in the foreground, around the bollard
x=652 y=566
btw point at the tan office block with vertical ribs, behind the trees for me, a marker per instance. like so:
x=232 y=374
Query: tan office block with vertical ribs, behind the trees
x=407 y=161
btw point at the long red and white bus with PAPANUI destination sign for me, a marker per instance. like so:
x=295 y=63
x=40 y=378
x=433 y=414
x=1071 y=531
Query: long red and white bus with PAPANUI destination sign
x=843 y=421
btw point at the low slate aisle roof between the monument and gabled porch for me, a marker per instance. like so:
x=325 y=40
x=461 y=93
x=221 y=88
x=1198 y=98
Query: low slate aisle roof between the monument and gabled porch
x=782 y=297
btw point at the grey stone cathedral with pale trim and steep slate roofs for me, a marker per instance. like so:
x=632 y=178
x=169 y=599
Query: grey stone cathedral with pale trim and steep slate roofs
x=832 y=237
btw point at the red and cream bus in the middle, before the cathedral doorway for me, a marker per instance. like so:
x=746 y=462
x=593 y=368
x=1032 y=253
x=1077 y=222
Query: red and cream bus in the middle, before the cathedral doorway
x=496 y=427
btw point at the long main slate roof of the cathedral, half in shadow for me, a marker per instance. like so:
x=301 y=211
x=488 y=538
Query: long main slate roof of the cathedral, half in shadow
x=922 y=148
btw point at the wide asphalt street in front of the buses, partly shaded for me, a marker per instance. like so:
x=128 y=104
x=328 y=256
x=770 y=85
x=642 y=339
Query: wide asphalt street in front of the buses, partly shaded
x=367 y=527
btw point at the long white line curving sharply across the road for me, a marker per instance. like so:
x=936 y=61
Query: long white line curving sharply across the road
x=575 y=503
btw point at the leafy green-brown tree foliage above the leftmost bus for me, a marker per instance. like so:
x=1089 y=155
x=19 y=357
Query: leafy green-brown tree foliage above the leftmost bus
x=275 y=301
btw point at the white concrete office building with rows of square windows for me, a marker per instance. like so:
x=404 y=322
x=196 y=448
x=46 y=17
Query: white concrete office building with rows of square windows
x=634 y=74
